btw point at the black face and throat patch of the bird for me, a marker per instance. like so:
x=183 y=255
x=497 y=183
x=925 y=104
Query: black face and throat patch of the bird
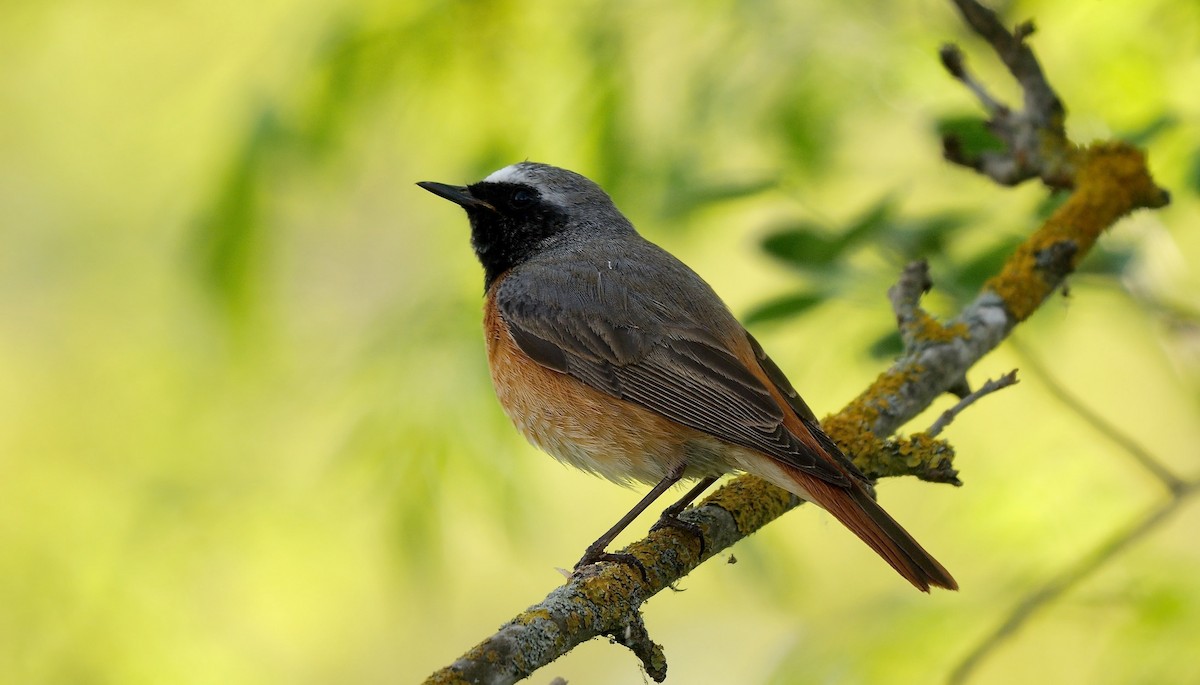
x=515 y=227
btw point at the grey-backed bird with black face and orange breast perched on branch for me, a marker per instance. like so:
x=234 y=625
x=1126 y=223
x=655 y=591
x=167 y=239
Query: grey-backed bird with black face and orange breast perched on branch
x=614 y=357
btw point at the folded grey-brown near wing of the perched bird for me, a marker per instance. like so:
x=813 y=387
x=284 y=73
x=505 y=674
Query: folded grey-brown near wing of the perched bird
x=667 y=363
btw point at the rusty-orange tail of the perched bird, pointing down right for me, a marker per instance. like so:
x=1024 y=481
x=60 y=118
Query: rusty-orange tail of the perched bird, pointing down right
x=859 y=512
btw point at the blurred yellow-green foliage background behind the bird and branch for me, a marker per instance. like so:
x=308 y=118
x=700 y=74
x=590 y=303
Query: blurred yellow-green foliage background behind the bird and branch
x=247 y=430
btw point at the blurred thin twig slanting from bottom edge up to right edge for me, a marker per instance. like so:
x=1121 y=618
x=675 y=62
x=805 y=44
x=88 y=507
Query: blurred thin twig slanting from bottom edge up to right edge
x=1039 y=599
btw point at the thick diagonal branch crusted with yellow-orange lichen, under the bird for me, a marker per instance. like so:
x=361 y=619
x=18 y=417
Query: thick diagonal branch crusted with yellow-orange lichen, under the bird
x=1109 y=181
